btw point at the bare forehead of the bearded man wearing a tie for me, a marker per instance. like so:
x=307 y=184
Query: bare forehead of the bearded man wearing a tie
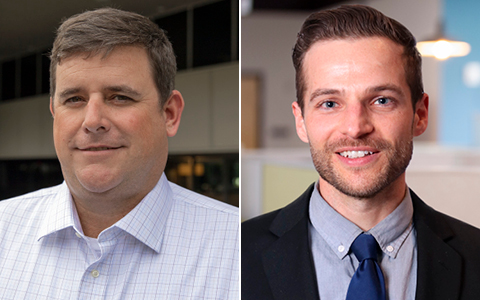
x=355 y=61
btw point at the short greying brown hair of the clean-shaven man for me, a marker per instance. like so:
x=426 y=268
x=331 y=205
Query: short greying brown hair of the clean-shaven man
x=101 y=30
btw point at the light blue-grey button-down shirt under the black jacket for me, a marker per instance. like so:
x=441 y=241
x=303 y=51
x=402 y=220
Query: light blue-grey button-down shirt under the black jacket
x=331 y=236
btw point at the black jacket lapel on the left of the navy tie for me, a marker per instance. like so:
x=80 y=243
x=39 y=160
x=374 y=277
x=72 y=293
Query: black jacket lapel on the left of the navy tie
x=288 y=263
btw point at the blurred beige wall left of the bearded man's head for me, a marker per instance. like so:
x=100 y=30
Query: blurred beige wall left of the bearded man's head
x=267 y=41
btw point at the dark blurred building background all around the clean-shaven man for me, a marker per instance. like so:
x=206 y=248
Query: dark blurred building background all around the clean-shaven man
x=203 y=155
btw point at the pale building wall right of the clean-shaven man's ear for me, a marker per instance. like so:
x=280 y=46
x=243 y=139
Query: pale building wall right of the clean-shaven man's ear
x=210 y=120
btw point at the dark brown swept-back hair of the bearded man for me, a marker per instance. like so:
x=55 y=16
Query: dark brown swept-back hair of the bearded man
x=357 y=21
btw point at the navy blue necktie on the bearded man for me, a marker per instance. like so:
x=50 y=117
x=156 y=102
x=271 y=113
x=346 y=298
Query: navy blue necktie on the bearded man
x=367 y=283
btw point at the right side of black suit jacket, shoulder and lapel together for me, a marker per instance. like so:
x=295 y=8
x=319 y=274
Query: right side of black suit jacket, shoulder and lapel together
x=445 y=243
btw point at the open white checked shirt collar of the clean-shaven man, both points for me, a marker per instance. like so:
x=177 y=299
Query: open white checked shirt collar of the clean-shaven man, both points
x=146 y=222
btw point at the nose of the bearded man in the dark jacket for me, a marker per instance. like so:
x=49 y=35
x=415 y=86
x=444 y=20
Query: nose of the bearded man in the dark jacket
x=357 y=121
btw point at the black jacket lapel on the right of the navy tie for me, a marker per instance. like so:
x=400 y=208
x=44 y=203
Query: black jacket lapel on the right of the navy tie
x=439 y=266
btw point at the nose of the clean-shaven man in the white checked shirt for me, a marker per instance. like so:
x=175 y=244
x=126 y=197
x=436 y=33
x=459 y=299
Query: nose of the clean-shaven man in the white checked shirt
x=96 y=116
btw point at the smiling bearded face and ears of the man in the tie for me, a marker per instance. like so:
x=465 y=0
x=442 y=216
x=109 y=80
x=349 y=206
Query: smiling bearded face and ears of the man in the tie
x=358 y=116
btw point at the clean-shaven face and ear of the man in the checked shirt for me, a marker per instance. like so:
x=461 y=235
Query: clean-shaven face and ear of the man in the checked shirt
x=110 y=130
